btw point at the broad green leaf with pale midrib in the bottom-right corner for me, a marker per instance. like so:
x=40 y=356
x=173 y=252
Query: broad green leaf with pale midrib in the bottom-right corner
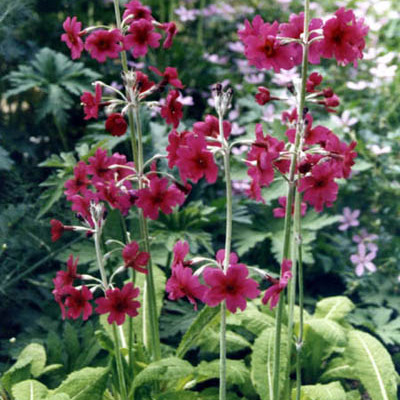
x=372 y=365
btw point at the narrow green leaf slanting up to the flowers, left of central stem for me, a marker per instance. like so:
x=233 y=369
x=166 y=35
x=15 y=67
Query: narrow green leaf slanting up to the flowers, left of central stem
x=206 y=317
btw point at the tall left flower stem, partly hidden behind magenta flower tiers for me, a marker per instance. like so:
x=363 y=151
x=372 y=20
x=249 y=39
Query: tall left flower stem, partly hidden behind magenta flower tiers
x=149 y=297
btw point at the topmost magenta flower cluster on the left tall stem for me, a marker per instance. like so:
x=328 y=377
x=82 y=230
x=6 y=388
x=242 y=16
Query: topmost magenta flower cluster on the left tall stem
x=137 y=36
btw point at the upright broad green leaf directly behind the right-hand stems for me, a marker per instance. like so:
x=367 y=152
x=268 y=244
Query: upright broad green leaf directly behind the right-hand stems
x=262 y=362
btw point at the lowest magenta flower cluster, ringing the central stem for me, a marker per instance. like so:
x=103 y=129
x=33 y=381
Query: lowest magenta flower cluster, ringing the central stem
x=233 y=285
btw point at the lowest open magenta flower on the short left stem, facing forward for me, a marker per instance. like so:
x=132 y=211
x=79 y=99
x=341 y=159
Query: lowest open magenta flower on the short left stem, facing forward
x=119 y=303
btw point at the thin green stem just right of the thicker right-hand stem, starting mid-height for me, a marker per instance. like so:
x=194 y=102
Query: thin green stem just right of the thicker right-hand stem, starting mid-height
x=299 y=343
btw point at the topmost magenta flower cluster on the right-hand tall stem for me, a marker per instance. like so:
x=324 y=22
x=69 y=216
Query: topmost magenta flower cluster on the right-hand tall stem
x=341 y=37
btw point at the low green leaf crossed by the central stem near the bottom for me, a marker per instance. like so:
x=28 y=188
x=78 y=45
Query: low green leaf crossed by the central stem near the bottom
x=236 y=372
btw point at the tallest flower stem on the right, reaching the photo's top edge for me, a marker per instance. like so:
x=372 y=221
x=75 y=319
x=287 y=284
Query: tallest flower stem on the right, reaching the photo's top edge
x=290 y=196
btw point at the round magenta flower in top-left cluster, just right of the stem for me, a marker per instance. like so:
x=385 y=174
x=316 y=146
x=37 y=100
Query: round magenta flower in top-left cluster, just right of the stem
x=141 y=35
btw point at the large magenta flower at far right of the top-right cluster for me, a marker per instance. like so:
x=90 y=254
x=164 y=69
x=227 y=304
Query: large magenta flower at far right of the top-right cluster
x=344 y=37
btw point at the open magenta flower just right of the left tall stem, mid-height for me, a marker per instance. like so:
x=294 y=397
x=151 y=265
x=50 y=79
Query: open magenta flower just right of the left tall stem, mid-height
x=158 y=196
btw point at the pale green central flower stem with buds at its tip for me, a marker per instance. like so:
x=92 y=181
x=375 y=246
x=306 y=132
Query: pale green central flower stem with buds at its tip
x=228 y=241
